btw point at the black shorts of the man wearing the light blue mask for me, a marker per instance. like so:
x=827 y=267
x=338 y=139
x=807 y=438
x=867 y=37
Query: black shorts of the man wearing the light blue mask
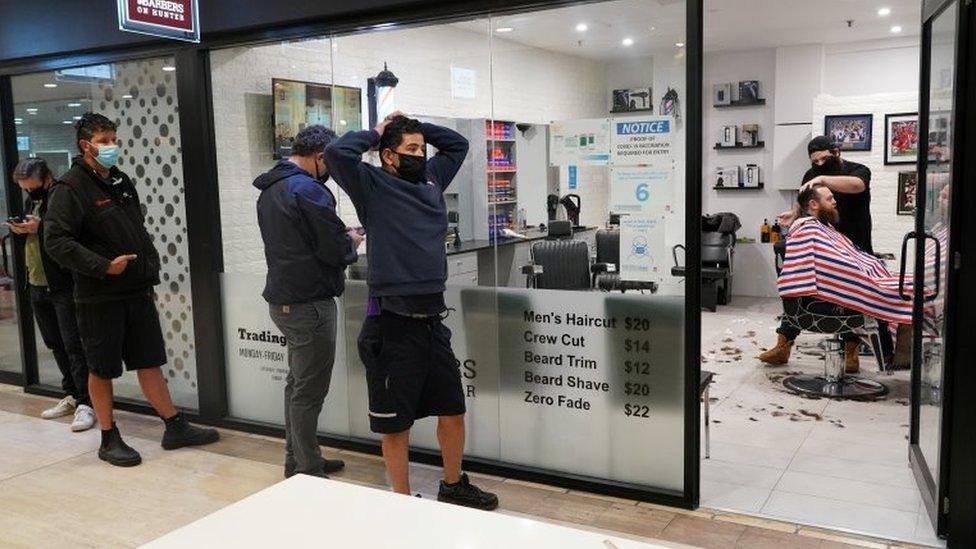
x=122 y=330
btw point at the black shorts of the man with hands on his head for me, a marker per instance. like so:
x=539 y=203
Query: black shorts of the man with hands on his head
x=411 y=371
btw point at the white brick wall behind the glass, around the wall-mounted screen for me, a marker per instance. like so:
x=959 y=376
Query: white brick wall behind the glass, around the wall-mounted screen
x=526 y=84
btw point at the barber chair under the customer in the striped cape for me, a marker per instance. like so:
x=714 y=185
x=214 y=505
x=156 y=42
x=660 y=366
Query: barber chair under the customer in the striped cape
x=812 y=315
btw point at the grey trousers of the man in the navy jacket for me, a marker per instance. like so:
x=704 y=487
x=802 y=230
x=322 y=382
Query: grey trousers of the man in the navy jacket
x=310 y=333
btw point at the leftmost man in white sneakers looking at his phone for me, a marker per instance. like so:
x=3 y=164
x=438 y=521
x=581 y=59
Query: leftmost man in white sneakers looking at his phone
x=51 y=299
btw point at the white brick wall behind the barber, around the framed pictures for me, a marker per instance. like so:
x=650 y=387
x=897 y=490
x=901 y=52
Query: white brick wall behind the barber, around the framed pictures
x=888 y=228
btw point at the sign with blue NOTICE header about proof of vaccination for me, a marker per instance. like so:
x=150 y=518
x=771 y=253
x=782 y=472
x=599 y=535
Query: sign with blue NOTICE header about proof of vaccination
x=641 y=141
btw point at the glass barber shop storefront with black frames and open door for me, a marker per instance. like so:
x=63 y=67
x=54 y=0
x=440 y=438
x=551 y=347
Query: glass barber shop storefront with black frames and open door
x=603 y=326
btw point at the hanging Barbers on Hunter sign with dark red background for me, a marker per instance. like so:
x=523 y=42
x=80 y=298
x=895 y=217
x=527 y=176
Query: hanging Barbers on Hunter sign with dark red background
x=176 y=19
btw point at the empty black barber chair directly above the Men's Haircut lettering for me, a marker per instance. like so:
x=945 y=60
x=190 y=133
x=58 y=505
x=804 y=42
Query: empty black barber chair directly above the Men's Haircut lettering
x=559 y=262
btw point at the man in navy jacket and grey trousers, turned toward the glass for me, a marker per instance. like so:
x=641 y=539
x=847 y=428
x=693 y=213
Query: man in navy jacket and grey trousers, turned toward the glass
x=307 y=248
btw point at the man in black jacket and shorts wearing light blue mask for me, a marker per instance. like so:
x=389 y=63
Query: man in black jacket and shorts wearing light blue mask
x=95 y=228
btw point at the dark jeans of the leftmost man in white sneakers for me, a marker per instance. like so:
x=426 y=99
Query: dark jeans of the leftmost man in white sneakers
x=55 y=315
